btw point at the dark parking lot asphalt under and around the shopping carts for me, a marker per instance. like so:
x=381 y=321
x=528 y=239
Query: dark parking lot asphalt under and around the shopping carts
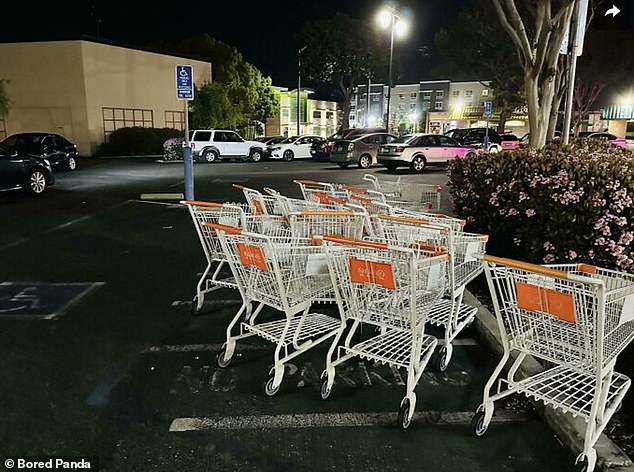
x=123 y=371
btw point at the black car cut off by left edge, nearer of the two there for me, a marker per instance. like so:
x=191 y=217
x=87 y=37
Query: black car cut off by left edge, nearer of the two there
x=27 y=172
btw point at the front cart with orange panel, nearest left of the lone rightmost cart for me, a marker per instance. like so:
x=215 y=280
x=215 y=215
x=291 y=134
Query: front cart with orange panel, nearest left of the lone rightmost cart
x=389 y=287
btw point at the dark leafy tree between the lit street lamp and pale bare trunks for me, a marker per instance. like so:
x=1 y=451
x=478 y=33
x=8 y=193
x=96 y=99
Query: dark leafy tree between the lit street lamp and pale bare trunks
x=476 y=47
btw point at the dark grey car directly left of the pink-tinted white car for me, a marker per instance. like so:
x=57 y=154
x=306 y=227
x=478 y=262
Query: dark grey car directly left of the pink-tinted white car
x=361 y=150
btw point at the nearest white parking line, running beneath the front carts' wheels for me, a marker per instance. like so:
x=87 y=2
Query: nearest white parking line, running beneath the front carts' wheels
x=331 y=420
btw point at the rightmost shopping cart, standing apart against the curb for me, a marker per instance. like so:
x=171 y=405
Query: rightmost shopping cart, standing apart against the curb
x=576 y=317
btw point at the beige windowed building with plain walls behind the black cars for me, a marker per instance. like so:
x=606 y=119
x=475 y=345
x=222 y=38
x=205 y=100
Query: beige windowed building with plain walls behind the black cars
x=64 y=86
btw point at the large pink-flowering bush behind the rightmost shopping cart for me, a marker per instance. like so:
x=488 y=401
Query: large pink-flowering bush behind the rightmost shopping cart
x=558 y=204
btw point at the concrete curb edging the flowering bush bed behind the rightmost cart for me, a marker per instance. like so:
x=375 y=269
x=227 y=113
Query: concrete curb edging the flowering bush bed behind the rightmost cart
x=570 y=430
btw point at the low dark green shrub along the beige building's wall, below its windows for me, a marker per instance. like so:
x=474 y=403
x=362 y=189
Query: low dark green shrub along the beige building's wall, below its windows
x=136 y=141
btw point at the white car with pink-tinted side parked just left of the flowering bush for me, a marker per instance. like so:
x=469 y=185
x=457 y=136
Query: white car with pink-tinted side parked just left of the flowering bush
x=417 y=151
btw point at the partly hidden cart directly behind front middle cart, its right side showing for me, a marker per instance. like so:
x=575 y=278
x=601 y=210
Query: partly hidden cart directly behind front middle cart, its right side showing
x=464 y=265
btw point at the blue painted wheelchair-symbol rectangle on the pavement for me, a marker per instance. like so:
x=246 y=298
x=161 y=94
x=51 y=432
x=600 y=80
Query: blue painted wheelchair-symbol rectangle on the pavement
x=39 y=299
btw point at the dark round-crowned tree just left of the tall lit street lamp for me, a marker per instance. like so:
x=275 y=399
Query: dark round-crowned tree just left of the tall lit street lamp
x=340 y=51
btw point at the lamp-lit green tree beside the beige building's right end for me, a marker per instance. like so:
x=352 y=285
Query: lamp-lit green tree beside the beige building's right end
x=239 y=93
